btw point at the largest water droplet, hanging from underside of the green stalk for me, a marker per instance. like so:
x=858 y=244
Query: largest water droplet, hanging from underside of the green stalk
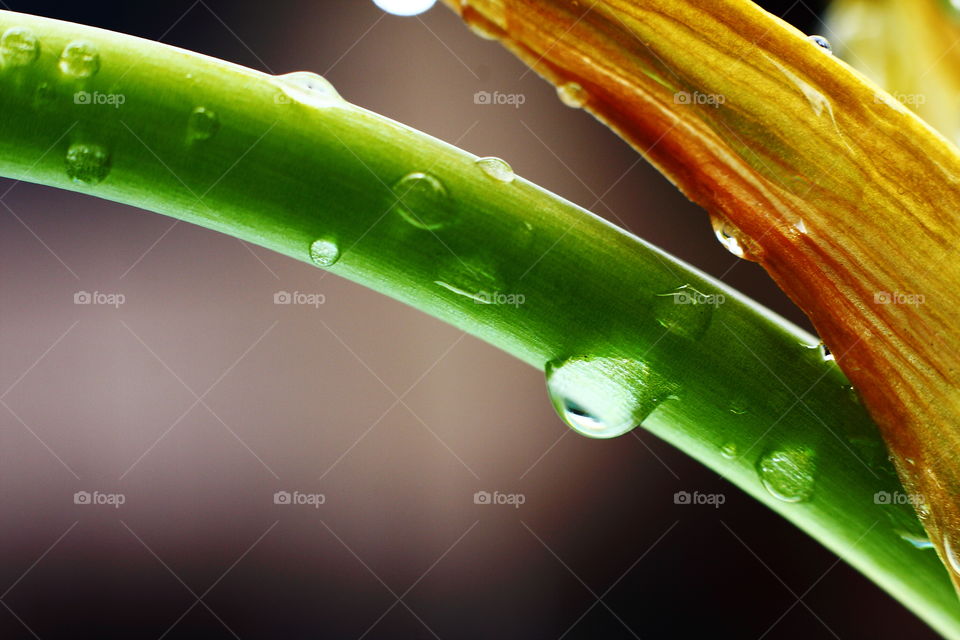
x=604 y=397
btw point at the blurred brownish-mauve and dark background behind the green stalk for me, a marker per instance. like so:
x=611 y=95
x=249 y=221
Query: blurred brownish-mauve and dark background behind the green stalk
x=197 y=400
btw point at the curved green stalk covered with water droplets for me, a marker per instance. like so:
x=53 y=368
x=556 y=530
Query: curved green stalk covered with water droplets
x=629 y=333
